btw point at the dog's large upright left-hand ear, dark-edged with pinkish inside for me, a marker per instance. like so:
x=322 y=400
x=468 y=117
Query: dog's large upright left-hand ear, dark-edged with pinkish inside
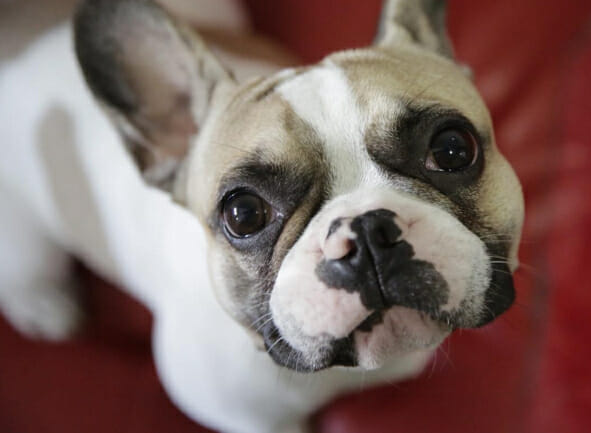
x=154 y=76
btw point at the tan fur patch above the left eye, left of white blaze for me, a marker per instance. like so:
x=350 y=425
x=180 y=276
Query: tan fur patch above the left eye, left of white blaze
x=253 y=129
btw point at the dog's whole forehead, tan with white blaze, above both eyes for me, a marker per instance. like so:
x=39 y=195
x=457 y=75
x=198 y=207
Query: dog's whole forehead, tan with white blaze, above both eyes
x=324 y=113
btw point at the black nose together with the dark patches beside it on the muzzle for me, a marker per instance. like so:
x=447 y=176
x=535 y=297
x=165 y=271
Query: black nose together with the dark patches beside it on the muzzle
x=379 y=265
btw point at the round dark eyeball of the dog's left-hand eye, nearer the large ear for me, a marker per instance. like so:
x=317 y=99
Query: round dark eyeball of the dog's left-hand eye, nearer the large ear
x=244 y=214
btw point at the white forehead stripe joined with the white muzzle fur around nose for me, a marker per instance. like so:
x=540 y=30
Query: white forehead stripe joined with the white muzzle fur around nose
x=305 y=310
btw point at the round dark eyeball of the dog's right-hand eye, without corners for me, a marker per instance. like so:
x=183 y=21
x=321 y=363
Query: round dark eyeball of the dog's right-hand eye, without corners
x=452 y=150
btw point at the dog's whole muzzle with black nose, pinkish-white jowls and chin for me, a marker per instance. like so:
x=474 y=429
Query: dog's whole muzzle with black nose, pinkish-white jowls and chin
x=389 y=291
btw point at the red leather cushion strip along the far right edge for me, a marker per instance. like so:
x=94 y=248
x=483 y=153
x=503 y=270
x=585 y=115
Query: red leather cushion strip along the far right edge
x=563 y=395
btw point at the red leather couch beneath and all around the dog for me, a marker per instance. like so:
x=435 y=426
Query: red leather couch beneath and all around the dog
x=527 y=372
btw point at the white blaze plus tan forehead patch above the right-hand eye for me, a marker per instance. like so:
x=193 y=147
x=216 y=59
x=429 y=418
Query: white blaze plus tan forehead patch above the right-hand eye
x=347 y=95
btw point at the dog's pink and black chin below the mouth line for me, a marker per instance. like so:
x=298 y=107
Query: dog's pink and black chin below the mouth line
x=379 y=341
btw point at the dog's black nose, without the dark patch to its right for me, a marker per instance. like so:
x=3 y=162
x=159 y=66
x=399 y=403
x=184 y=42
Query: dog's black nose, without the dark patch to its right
x=375 y=250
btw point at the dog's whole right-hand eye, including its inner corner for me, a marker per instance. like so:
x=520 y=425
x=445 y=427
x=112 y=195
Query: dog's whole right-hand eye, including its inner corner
x=452 y=150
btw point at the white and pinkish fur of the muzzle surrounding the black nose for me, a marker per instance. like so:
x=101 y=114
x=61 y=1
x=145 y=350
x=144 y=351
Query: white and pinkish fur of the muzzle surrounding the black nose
x=306 y=311
